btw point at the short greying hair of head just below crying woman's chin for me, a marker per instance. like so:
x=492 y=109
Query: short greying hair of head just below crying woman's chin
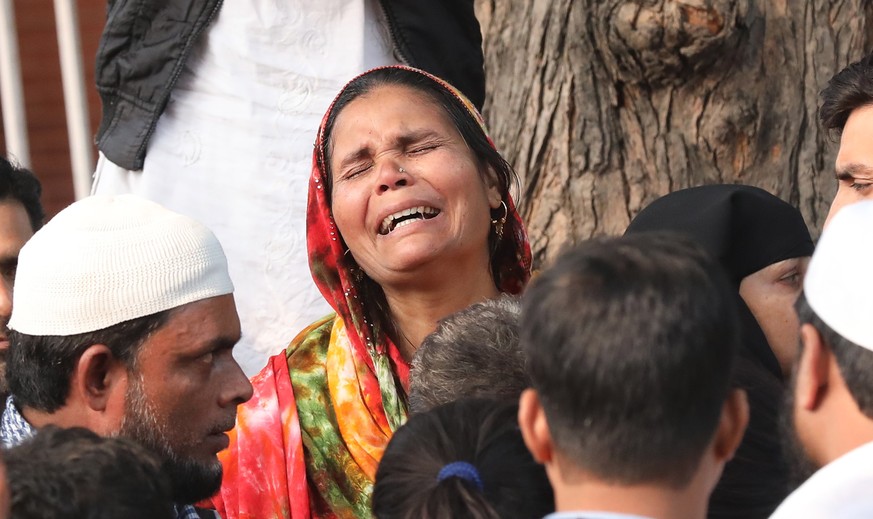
x=472 y=353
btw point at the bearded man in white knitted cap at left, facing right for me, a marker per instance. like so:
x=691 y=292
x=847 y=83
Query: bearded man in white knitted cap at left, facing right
x=124 y=322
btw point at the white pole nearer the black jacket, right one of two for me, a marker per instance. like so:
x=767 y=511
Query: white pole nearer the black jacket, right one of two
x=75 y=97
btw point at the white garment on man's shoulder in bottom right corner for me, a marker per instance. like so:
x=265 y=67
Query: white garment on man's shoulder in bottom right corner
x=842 y=489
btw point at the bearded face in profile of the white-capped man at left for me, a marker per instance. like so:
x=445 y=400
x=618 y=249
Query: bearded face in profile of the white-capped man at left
x=184 y=393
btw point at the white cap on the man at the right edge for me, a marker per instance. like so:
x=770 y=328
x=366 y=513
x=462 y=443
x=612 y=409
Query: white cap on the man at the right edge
x=837 y=286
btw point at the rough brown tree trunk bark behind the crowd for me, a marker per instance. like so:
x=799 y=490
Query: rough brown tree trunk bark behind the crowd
x=604 y=105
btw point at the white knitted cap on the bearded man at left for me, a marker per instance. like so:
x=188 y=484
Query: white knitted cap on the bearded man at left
x=108 y=259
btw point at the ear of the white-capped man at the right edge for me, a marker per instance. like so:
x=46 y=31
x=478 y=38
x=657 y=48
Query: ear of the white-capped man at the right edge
x=812 y=369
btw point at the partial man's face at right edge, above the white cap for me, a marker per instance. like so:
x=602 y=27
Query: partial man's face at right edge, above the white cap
x=854 y=165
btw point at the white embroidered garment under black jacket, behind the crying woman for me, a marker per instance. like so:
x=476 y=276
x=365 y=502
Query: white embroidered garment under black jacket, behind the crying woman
x=233 y=149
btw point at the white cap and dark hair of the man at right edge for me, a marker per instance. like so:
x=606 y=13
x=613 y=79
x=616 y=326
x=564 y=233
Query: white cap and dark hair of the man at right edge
x=837 y=301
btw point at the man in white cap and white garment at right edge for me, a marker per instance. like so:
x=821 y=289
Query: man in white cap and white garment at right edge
x=830 y=415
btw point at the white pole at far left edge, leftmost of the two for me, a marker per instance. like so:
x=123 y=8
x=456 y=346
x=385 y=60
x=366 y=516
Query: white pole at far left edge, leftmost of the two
x=11 y=89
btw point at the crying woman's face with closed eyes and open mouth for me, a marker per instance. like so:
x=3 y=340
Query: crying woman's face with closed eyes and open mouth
x=435 y=209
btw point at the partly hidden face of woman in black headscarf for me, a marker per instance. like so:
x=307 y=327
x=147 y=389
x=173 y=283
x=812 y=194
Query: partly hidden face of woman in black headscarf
x=770 y=294
